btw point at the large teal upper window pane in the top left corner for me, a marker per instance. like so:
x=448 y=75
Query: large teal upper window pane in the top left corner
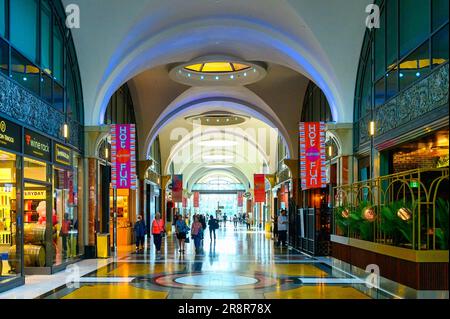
x=24 y=27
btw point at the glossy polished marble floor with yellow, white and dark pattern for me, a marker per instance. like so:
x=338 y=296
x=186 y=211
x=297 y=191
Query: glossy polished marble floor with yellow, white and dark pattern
x=240 y=264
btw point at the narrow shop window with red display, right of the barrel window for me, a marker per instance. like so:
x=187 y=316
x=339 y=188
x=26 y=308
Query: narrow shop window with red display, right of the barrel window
x=65 y=205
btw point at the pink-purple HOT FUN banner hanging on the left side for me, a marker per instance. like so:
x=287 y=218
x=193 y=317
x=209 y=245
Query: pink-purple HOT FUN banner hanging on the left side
x=123 y=155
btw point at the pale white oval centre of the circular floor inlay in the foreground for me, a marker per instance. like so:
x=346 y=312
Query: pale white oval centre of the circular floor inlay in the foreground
x=216 y=281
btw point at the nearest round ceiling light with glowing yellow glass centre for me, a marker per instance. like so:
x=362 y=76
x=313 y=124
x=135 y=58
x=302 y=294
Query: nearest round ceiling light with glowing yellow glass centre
x=218 y=70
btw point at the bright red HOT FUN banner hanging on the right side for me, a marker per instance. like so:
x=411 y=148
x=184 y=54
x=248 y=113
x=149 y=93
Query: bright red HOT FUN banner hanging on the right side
x=312 y=155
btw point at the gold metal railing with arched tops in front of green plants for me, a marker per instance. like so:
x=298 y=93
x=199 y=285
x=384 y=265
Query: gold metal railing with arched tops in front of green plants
x=403 y=205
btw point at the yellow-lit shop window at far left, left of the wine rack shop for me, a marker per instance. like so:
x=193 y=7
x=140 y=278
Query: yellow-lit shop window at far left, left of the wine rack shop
x=10 y=247
